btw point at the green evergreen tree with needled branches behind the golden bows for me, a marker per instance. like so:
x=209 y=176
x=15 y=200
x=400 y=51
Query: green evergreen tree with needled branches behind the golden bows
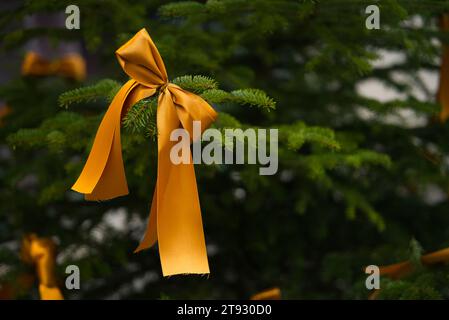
x=356 y=181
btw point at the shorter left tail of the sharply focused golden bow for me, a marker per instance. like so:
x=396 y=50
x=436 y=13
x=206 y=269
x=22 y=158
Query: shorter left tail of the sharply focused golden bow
x=103 y=176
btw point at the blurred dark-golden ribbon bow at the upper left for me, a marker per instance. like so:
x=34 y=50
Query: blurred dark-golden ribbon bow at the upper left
x=70 y=66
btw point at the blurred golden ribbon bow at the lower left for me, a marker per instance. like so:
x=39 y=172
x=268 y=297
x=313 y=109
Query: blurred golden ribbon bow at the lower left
x=40 y=252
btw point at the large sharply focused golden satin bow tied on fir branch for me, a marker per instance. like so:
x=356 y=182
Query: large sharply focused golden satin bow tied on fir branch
x=175 y=217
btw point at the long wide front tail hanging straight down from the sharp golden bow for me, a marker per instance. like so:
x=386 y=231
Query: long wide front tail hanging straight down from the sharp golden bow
x=182 y=247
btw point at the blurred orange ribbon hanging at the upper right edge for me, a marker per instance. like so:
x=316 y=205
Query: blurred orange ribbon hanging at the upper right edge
x=443 y=90
